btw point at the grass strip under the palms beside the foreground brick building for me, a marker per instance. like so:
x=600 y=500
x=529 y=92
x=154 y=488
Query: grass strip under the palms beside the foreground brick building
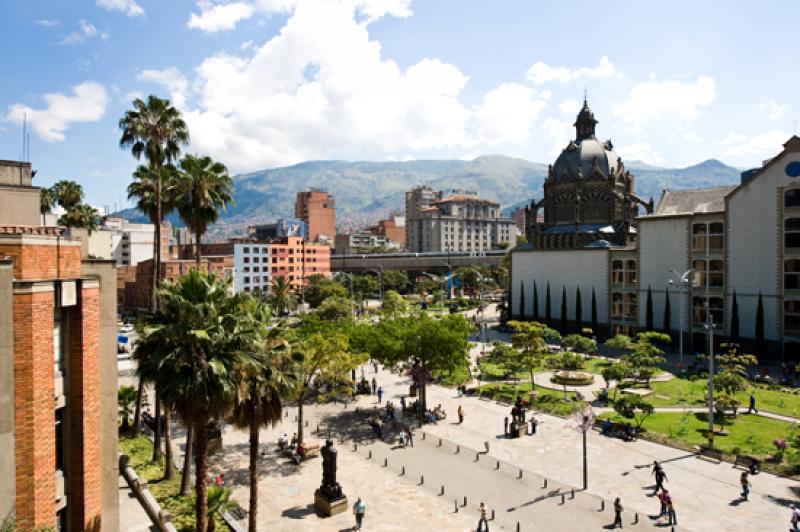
x=140 y=451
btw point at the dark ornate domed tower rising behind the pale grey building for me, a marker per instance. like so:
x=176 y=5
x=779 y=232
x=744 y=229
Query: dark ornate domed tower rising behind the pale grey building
x=589 y=200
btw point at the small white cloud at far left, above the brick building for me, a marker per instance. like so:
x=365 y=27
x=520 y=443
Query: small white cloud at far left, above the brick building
x=86 y=104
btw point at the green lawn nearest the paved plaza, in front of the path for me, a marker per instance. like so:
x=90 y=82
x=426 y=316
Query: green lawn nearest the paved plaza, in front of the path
x=750 y=435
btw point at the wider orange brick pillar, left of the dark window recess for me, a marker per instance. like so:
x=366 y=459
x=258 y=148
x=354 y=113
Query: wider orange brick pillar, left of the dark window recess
x=33 y=401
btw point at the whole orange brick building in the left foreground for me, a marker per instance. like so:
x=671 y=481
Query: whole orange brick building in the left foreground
x=58 y=372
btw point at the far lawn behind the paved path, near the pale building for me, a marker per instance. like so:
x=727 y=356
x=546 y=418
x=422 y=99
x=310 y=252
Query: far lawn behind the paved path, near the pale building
x=679 y=392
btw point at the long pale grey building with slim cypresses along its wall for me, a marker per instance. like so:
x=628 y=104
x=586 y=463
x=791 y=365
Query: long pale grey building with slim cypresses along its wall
x=740 y=245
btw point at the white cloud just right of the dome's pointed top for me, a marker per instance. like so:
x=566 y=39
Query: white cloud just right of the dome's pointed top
x=657 y=100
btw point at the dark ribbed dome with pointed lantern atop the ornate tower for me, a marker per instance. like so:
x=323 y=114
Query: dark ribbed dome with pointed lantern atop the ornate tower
x=586 y=153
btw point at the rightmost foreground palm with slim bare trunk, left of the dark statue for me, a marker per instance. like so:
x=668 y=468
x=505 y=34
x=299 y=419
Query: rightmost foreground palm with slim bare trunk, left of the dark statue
x=262 y=389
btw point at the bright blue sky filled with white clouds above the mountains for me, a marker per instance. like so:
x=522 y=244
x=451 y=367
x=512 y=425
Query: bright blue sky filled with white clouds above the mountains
x=267 y=83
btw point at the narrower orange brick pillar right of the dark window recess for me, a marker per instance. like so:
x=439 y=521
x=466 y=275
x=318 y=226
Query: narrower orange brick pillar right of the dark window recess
x=83 y=401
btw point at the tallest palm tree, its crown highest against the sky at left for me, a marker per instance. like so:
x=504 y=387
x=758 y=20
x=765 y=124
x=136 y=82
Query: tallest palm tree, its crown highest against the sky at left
x=156 y=130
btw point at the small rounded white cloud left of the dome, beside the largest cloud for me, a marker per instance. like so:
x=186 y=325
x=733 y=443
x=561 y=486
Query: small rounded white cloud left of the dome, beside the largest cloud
x=507 y=113
